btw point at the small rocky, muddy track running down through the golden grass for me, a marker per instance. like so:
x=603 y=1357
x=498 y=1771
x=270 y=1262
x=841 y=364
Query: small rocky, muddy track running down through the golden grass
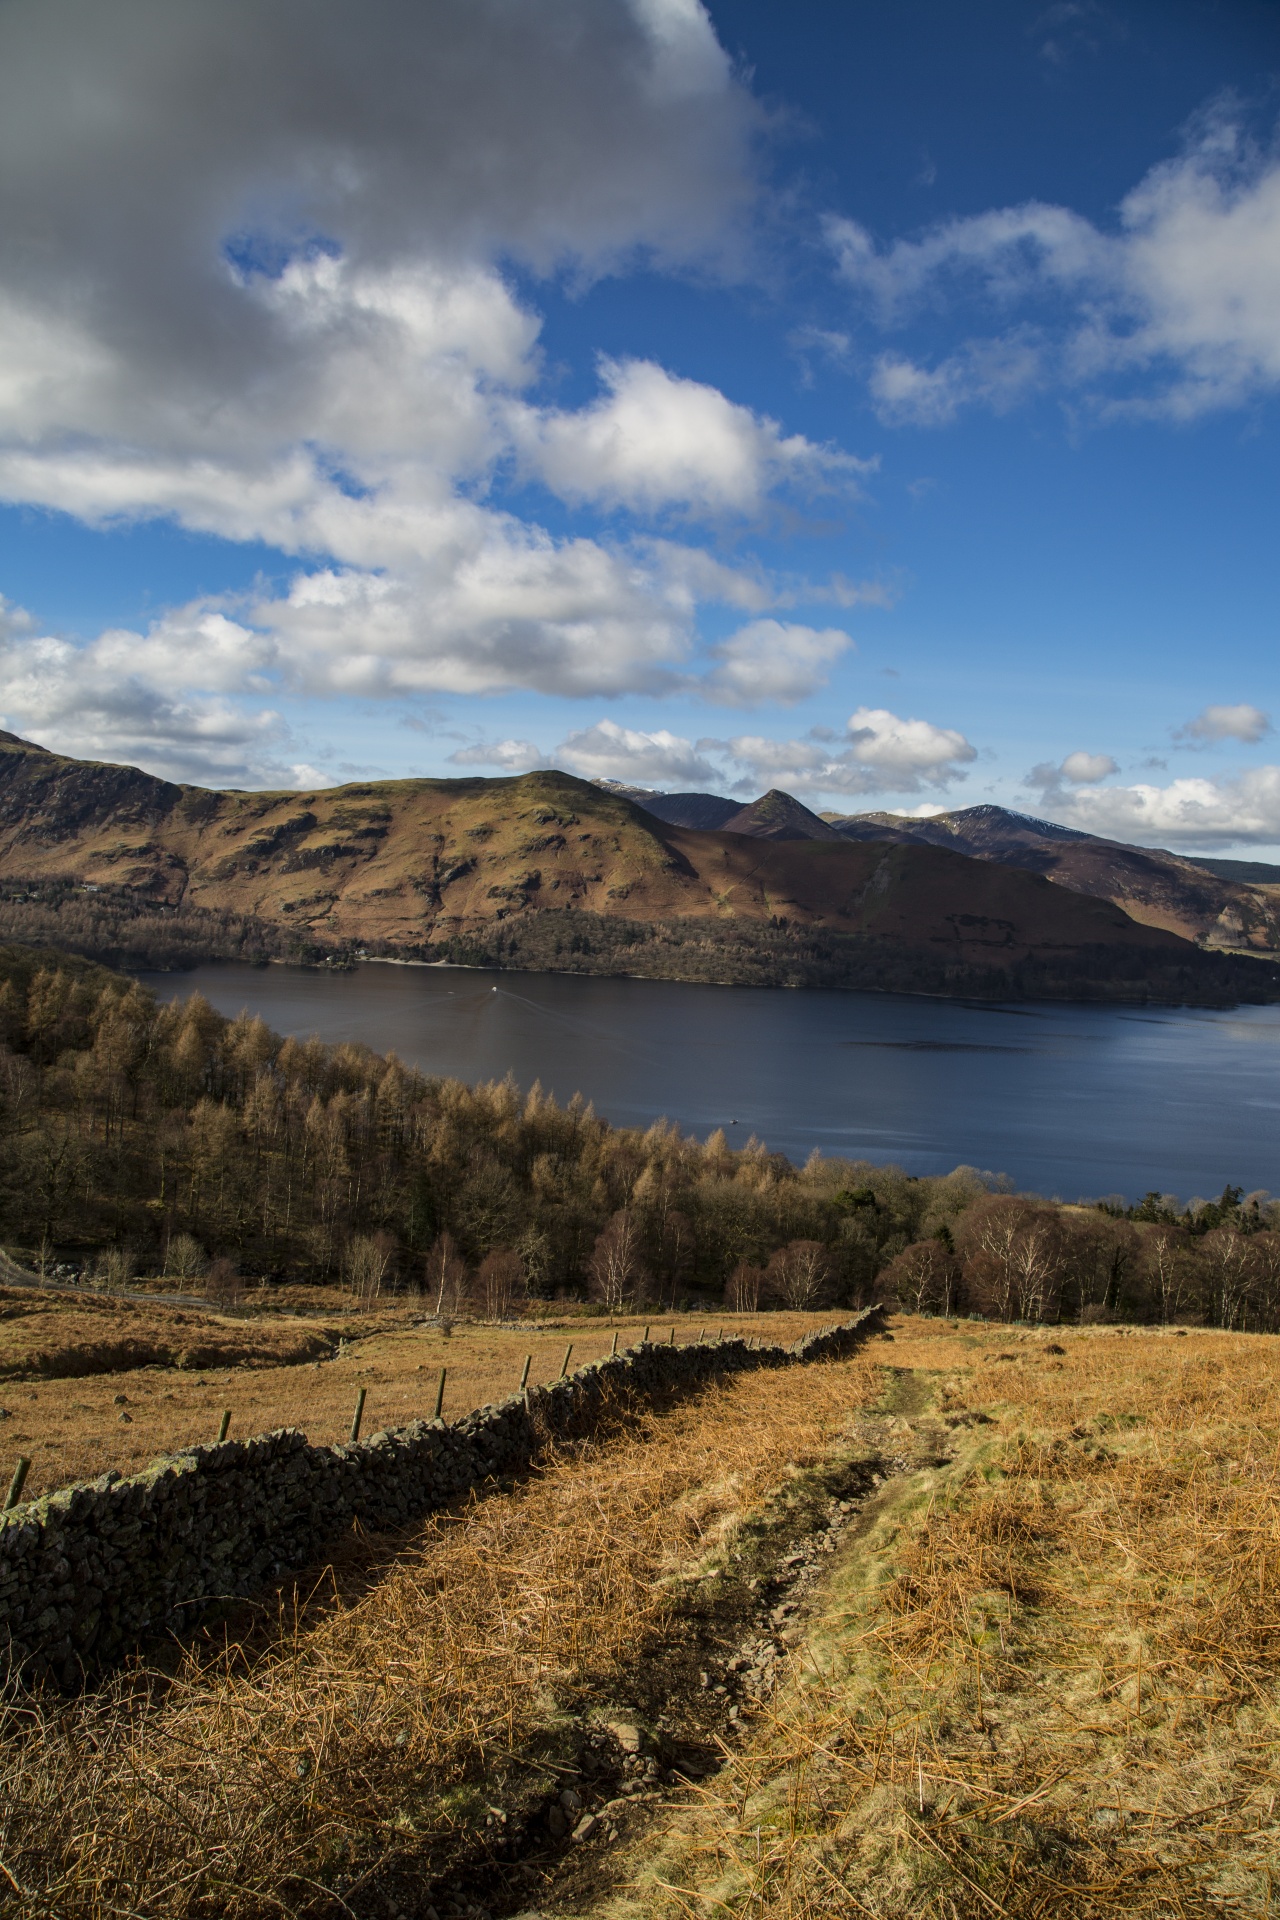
x=694 y=1691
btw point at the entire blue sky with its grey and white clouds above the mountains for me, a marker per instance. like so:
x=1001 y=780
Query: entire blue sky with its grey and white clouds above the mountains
x=868 y=398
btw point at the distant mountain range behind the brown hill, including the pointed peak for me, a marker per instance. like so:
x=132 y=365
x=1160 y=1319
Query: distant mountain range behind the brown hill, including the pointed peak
x=1231 y=905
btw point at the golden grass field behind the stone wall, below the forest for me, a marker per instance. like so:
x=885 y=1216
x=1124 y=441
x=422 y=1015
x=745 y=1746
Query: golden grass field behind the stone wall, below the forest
x=74 y=1429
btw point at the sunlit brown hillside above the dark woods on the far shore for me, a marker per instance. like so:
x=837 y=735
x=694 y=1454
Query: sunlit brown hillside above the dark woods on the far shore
x=410 y=861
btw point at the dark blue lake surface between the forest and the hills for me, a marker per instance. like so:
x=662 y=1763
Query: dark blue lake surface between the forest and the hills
x=1066 y=1099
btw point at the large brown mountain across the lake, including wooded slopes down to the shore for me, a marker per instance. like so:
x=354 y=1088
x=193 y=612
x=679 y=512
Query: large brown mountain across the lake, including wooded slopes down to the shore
x=550 y=871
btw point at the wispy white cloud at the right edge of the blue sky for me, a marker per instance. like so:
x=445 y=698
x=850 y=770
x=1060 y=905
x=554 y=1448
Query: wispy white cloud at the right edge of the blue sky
x=1172 y=314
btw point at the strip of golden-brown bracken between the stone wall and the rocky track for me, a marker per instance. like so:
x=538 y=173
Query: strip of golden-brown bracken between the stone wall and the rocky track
x=364 y=1731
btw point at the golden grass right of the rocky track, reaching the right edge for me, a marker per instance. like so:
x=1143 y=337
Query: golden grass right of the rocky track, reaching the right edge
x=1049 y=1679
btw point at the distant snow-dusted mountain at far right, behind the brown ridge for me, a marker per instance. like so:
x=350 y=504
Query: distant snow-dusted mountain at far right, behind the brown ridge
x=1160 y=890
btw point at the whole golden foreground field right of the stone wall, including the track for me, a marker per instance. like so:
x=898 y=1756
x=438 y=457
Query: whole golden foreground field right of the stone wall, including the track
x=980 y=1621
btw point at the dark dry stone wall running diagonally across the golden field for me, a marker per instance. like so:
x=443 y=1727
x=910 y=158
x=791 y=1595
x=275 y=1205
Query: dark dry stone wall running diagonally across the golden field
x=99 y=1570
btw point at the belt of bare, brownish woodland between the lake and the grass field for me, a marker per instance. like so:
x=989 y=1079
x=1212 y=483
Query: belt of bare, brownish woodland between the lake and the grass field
x=143 y=1140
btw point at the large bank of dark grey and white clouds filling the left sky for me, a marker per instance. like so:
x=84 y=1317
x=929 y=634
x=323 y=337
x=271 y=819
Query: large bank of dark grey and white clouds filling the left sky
x=256 y=277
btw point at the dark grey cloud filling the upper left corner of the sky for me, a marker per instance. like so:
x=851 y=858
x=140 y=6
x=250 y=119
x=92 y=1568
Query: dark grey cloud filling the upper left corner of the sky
x=143 y=139
